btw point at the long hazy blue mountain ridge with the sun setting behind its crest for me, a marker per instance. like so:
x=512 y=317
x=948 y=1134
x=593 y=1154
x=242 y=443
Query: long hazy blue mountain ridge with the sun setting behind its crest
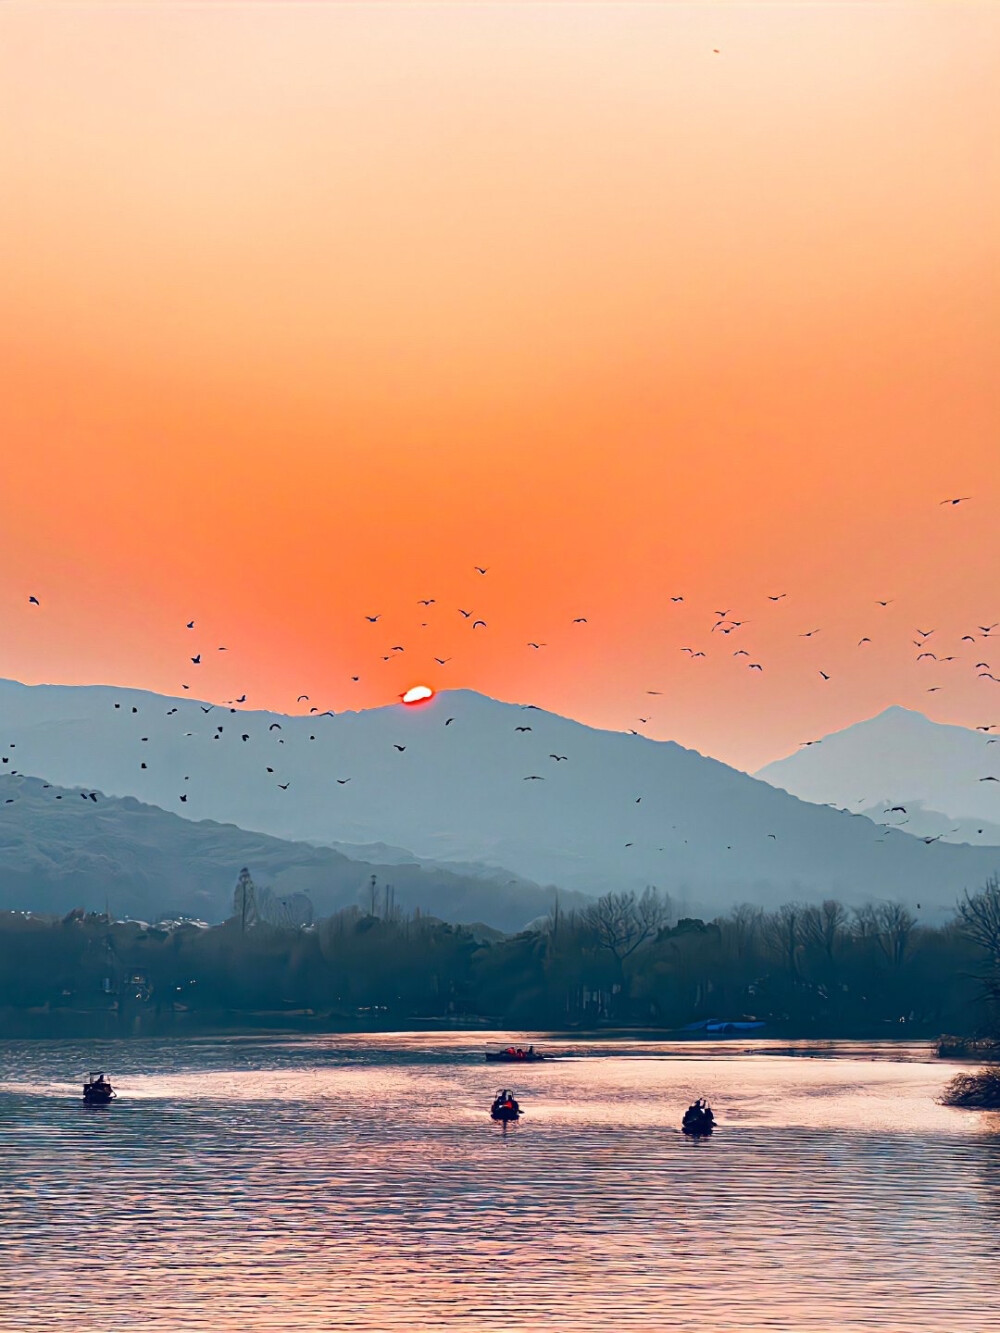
x=618 y=812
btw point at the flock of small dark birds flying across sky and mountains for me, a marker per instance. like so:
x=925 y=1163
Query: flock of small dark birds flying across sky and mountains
x=723 y=625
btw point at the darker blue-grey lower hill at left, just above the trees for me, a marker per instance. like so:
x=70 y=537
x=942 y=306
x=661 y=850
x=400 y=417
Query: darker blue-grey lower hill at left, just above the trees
x=61 y=850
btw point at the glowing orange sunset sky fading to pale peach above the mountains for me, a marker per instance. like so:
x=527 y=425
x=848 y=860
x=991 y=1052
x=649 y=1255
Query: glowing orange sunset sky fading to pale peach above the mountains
x=310 y=309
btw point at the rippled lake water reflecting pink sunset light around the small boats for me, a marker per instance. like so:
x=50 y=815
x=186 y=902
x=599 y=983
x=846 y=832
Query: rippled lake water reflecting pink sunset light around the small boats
x=358 y=1183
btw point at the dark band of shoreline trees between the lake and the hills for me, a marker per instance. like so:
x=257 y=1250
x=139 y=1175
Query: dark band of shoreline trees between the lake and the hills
x=623 y=960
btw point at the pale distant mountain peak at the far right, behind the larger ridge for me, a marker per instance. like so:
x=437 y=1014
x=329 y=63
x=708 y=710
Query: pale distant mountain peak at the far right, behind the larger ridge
x=902 y=758
